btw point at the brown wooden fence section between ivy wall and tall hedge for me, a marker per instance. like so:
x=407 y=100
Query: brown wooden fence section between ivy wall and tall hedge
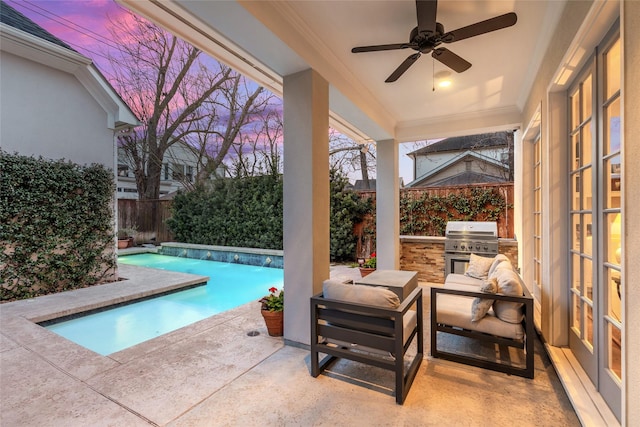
x=147 y=217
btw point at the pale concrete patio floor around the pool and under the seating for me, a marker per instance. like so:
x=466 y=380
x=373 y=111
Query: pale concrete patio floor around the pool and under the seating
x=214 y=373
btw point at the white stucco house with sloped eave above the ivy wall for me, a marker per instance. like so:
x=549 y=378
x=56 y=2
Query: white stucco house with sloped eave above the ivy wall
x=55 y=103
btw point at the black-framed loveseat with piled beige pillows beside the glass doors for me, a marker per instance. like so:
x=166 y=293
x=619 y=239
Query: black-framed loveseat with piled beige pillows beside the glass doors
x=494 y=306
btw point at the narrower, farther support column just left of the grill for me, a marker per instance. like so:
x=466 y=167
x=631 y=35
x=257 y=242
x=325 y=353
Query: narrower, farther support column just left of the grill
x=387 y=205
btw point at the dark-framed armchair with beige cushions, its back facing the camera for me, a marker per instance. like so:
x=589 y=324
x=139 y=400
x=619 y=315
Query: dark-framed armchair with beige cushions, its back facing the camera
x=368 y=324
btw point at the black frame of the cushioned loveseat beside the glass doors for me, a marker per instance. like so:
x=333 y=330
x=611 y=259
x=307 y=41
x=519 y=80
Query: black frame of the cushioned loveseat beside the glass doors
x=527 y=343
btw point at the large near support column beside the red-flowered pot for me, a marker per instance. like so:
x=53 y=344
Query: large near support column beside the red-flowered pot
x=306 y=197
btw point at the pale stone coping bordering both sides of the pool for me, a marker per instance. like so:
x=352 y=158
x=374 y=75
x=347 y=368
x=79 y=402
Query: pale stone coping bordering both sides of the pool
x=20 y=319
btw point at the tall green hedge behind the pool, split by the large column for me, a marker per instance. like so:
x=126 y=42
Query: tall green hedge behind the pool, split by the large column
x=247 y=212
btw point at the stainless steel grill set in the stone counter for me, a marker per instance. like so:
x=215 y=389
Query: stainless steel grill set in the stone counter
x=462 y=238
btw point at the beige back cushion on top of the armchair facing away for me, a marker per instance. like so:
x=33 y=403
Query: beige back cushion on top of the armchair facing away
x=361 y=294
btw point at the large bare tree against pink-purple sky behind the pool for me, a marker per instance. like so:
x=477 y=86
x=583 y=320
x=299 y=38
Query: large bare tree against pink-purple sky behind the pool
x=179 y=94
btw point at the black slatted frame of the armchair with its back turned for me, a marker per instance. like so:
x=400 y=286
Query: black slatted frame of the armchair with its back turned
x=370 y=326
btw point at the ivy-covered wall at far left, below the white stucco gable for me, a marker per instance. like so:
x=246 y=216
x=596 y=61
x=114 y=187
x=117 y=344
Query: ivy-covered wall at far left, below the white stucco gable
x=57 y=226
